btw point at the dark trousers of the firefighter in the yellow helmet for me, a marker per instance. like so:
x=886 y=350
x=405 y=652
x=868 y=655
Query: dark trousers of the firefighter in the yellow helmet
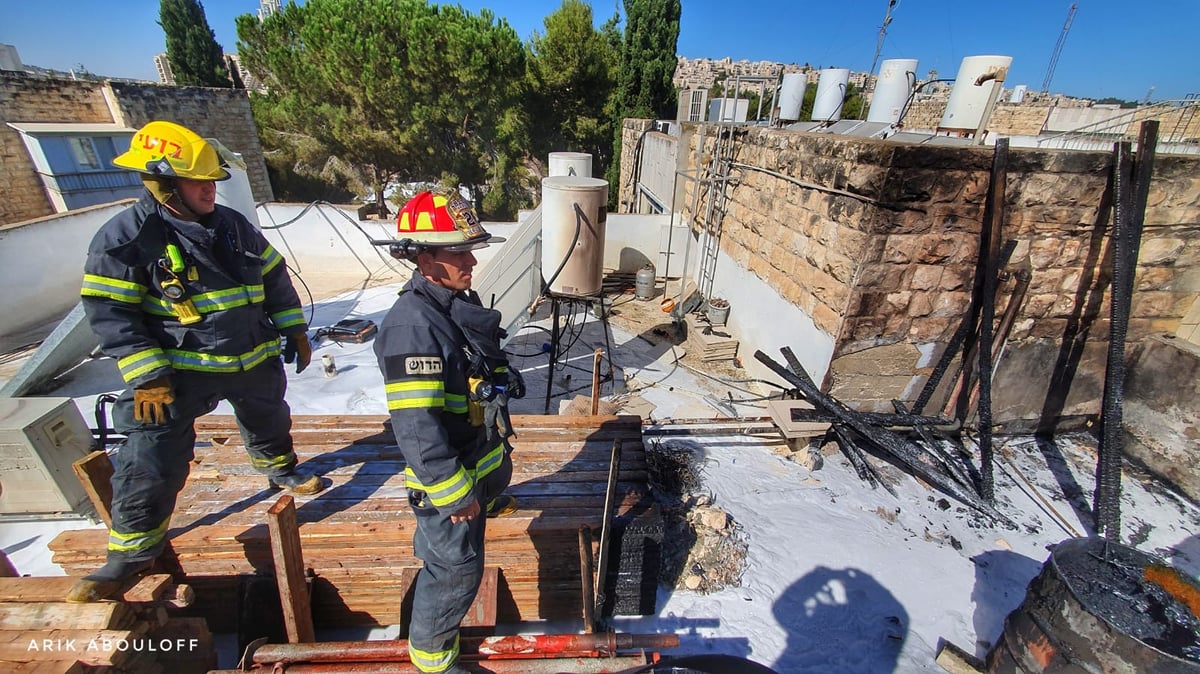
x=149 y=470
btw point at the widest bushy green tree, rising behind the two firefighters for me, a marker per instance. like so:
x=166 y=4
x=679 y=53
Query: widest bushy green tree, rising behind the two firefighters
x=404 y=91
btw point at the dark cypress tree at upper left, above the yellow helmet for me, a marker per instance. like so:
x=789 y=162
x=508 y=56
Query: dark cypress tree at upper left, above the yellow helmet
x=193 y=49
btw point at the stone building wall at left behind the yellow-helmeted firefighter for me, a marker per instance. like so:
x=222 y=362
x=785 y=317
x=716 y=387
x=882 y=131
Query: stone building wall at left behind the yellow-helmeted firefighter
x=219 y=113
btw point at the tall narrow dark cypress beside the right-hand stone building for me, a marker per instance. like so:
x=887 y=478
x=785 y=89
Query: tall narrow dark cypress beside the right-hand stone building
x=647 y=63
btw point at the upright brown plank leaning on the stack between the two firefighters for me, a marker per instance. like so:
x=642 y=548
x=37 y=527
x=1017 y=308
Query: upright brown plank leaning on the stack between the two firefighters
x=290 y=571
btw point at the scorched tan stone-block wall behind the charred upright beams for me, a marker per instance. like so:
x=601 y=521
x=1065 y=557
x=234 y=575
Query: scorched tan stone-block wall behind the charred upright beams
x=877 y=242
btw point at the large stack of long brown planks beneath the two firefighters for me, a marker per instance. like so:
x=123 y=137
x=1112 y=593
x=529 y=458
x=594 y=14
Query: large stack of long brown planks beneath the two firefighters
x=357 y=535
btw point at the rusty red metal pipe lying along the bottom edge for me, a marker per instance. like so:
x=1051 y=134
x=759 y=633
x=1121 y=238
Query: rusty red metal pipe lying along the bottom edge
x=518 y=646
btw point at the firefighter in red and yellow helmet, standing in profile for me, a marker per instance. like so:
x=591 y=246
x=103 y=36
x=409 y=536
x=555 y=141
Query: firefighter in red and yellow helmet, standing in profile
x=448 y=383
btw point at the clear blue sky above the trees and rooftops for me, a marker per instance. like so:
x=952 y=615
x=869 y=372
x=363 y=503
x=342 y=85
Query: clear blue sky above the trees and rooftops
x=1115 y=47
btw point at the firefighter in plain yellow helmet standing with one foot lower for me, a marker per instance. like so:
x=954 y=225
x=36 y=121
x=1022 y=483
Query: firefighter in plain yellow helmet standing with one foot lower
x=194 y=304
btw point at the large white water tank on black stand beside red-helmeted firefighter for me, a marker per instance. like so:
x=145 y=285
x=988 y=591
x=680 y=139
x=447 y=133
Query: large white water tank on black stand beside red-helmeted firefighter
x=574 y=213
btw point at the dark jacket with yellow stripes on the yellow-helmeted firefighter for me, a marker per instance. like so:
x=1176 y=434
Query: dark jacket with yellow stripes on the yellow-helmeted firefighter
x=235 y=280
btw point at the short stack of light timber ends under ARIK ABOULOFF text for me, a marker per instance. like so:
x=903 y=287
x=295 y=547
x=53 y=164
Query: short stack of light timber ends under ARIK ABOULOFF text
x=140 y=634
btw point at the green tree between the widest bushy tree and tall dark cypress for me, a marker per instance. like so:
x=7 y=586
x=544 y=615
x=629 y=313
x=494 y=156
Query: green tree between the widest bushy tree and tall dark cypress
x=572 y=74
